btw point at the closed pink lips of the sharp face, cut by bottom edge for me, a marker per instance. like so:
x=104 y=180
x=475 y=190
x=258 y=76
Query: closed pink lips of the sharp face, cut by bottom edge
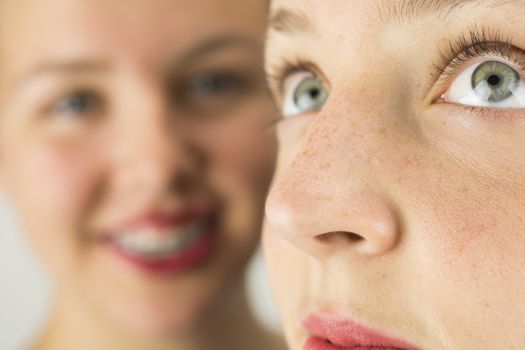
x=330 y=333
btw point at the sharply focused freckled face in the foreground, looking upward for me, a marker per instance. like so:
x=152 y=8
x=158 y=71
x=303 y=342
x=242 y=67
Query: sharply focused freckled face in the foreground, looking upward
x=398 y=203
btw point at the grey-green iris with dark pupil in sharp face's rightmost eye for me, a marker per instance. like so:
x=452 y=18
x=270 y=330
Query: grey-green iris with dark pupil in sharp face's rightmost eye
x=495 y=81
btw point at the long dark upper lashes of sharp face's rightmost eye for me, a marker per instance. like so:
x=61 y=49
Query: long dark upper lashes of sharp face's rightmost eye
x=476 y=43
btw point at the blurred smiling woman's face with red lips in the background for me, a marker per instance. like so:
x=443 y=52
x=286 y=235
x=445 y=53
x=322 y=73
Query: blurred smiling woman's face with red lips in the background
x=133 y=145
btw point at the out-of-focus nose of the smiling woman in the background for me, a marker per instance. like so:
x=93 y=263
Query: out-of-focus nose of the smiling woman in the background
x=152 y=157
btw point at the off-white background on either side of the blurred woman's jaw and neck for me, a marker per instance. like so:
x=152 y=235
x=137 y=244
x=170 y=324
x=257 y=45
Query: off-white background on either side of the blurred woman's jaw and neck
x=26 y=294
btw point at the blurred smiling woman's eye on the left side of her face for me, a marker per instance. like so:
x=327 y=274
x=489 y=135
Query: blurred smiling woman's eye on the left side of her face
x=78 y=104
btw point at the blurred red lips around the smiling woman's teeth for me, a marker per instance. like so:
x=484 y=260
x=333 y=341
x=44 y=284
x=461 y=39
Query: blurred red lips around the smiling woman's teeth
x=194 y=255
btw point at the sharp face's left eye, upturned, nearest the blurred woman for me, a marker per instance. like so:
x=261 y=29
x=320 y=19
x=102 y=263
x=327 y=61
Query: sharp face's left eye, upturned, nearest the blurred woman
x=304 y=92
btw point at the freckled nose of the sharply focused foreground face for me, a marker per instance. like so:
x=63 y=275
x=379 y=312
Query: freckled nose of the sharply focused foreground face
x=330 y=198
